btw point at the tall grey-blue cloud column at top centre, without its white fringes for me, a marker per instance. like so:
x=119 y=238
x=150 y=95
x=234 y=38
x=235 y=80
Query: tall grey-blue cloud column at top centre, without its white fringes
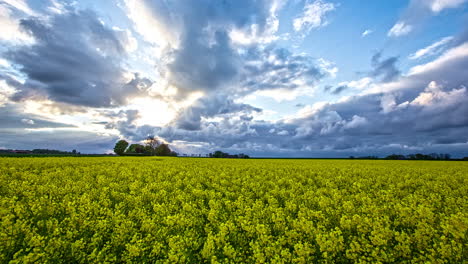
x=205 y=59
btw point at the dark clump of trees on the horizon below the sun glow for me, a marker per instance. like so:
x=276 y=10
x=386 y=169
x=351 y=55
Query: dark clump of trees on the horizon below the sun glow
x=151 y=147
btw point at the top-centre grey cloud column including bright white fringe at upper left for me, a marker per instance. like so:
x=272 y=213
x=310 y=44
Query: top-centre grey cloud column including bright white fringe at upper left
x=201 y=54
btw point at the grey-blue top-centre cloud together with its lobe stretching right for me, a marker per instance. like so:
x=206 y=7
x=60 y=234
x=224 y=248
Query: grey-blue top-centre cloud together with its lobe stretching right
x=206 y=58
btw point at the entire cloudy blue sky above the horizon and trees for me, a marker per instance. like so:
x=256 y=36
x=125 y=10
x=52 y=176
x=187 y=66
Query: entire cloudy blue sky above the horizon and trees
x=269 y=78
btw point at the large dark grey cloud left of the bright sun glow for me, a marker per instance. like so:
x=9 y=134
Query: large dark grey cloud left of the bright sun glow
x=75 y=59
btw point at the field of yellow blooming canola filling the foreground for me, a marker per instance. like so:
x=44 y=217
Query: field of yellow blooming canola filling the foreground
x=200 y=210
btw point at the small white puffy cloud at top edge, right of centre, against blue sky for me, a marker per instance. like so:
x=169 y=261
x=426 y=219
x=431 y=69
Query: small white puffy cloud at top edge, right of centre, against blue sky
x=313 y=16
